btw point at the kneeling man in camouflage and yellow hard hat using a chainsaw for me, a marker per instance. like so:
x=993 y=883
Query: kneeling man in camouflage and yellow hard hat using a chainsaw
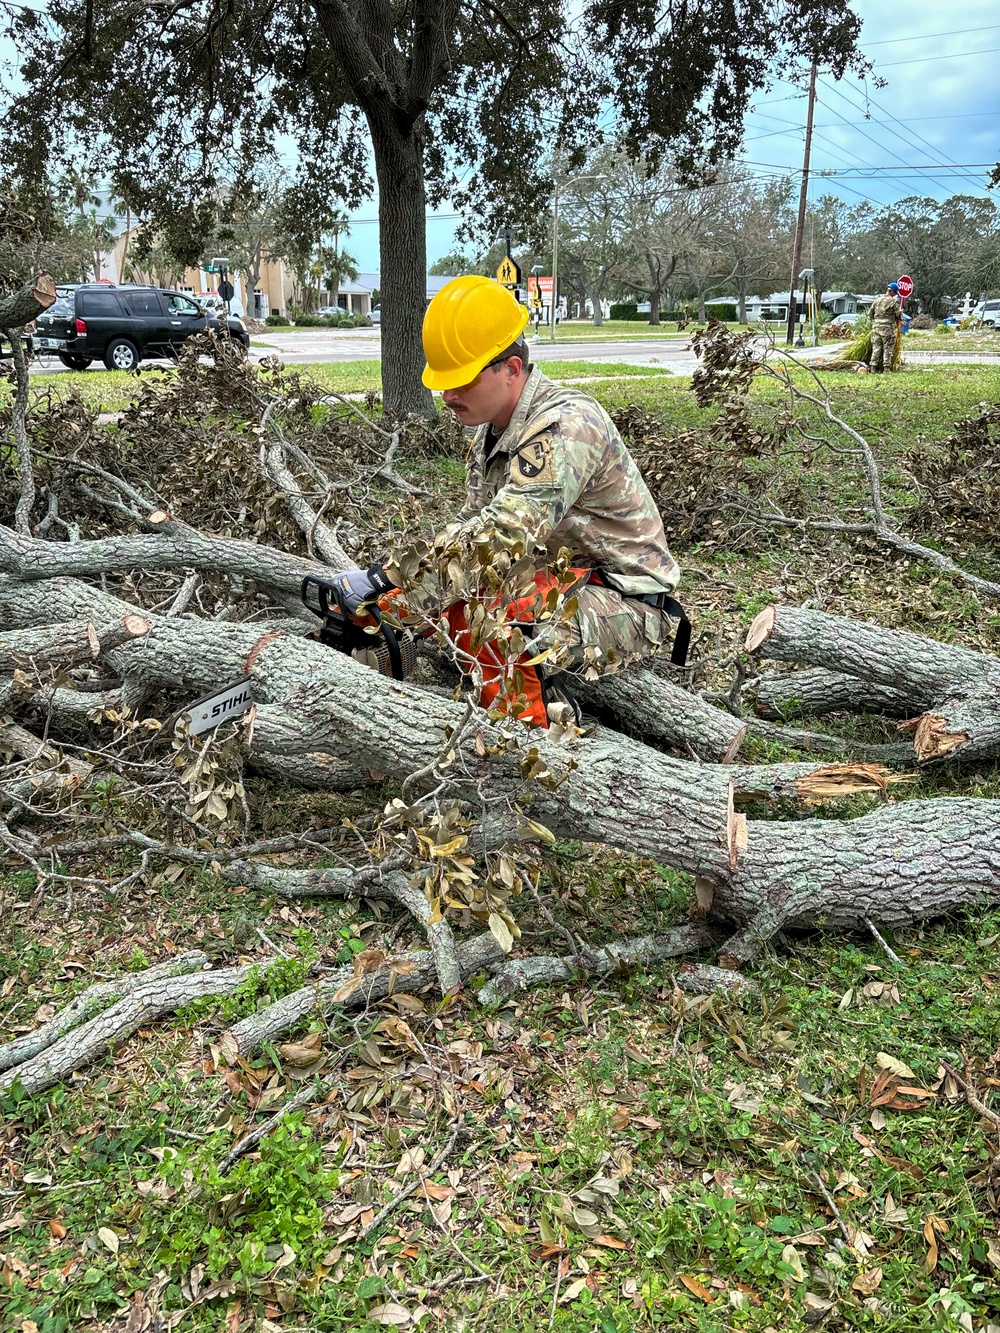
x=549 y=473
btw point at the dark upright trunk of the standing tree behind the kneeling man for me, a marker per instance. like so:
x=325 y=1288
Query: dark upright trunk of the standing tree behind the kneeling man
x=399 y=166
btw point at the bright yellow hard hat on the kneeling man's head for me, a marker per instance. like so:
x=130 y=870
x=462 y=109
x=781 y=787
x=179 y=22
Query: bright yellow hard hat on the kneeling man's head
x=469 y=323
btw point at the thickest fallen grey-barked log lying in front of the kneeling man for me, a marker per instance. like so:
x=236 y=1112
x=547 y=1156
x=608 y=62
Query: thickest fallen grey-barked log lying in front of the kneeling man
x=603 y=787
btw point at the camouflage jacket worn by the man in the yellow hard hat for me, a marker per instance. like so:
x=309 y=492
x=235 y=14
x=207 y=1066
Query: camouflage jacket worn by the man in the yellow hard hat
x=561 y=477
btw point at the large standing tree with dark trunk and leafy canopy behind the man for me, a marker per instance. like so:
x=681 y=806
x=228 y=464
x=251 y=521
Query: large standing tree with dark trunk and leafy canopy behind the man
x=449 y=98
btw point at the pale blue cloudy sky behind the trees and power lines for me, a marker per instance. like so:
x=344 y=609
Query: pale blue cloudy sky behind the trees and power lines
x=933 y=130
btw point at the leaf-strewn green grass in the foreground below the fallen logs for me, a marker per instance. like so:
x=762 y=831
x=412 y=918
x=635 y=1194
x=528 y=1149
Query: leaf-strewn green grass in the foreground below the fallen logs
x=657 y=1147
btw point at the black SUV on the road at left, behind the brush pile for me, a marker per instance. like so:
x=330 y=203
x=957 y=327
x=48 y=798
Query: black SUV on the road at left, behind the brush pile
x=123 y=326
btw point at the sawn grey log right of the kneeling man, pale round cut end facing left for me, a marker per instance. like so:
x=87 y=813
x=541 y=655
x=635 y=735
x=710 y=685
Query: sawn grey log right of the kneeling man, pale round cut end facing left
x=961 y=720
